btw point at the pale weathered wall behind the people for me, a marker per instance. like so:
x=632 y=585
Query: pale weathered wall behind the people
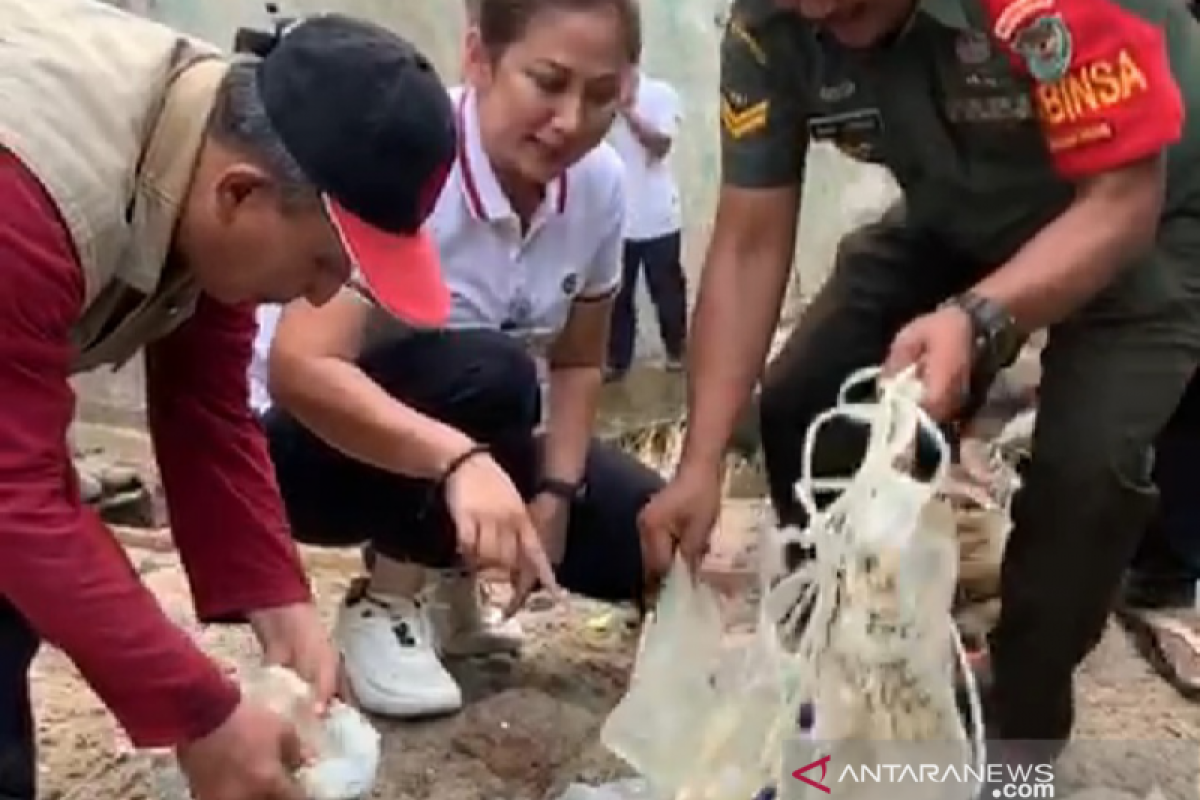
x=682 y=47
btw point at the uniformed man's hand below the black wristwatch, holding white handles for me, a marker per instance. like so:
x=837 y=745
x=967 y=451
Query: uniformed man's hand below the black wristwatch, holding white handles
x=940 y=345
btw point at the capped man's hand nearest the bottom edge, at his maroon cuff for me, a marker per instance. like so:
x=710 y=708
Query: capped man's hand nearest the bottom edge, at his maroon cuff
x=253 y=756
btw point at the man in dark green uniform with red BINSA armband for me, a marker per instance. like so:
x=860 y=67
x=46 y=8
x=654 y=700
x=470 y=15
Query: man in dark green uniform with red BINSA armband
x=1047 y=155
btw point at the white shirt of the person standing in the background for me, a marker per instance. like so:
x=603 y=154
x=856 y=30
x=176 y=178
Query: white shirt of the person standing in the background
x=651 y=188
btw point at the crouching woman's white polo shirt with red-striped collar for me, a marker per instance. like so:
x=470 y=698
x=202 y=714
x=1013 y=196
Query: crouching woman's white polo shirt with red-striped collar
x=501 y=278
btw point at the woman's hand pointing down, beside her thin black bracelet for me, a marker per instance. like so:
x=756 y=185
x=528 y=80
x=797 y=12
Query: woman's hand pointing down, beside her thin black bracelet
x=493 y=524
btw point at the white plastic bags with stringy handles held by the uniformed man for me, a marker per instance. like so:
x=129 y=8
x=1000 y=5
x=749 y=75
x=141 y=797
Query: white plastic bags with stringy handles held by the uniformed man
x=863 y=631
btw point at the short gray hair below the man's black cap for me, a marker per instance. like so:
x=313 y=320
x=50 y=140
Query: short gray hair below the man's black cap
x=241 y=122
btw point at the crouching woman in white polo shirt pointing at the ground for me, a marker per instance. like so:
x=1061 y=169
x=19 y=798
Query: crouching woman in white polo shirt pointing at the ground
x=428 y=444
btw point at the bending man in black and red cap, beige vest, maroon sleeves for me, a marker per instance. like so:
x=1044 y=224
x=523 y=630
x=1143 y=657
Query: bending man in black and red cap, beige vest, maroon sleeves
x=152 y=193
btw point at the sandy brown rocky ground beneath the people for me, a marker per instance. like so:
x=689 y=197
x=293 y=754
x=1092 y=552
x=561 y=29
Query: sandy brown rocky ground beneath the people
x=532 y=724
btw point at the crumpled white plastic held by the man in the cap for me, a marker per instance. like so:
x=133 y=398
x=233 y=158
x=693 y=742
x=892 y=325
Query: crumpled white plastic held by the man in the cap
x=346 y=745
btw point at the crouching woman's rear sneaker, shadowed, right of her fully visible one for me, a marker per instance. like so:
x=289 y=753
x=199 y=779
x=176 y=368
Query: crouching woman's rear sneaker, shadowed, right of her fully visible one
x=465 y=619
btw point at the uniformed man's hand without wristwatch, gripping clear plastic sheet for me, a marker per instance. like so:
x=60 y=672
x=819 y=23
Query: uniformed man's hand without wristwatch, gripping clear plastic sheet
x=681 y=516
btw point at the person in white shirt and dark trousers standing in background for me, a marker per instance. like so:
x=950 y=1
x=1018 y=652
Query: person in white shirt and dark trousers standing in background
x=644 y=136
